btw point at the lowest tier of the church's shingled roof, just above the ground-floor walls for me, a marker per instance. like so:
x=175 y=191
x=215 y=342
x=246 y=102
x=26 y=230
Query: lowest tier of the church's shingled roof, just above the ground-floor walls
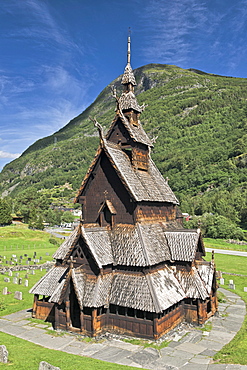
x=153 y=292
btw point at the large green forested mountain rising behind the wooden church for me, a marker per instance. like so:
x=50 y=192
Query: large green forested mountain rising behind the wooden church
x=199 y=122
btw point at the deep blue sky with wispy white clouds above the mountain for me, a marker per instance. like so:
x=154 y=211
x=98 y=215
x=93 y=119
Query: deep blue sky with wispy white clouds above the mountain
x=57 y=55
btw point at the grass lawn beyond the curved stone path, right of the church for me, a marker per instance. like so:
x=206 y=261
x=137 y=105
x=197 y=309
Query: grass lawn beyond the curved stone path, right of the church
x=234 y=352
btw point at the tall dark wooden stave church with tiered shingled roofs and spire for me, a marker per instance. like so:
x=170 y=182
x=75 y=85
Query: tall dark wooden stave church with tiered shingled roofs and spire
x=129 y=267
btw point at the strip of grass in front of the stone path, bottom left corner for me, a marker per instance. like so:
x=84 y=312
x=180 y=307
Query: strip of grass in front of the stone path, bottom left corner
x=24 y=355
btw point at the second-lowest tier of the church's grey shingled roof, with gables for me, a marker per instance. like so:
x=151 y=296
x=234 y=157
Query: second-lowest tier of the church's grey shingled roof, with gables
x=144 y=244
